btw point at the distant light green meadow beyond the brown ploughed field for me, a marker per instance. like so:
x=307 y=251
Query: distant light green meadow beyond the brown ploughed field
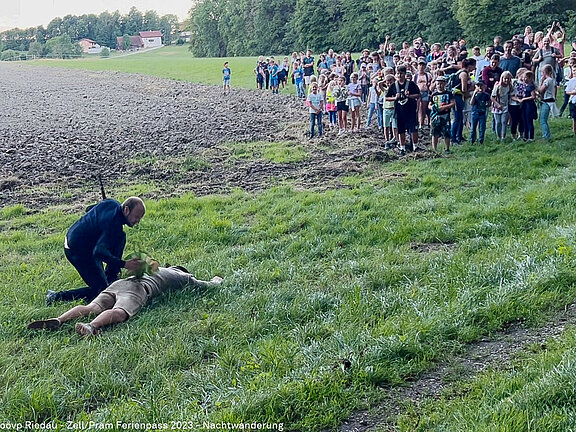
x=173 y=62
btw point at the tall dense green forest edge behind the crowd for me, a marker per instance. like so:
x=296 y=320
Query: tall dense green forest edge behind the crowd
x=254 y=27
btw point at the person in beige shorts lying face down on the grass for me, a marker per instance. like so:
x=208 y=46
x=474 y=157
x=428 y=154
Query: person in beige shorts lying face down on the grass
x=124 y=298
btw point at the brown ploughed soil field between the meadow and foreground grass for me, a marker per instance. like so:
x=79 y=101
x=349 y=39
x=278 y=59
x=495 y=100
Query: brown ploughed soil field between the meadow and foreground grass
x=60 y=128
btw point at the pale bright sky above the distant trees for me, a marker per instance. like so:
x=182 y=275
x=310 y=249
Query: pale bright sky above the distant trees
x=32 y=13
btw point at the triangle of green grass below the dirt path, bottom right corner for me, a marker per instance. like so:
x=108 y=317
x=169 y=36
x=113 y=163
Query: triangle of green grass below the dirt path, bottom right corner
x=536 y=393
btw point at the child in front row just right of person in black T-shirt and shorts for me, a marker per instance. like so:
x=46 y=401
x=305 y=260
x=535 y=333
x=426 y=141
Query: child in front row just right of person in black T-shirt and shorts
x=441 y=102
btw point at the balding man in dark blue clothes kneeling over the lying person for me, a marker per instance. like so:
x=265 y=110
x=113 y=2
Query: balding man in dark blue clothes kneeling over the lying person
x=97 y=238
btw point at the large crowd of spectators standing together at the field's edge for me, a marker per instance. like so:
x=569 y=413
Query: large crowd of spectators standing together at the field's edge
x=441 y=87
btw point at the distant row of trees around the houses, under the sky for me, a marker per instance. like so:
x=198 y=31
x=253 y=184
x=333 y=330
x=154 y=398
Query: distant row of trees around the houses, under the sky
x=103 y=28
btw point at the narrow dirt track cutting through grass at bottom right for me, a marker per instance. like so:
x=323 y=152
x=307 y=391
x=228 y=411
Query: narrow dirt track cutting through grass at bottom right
x=493 y=351
